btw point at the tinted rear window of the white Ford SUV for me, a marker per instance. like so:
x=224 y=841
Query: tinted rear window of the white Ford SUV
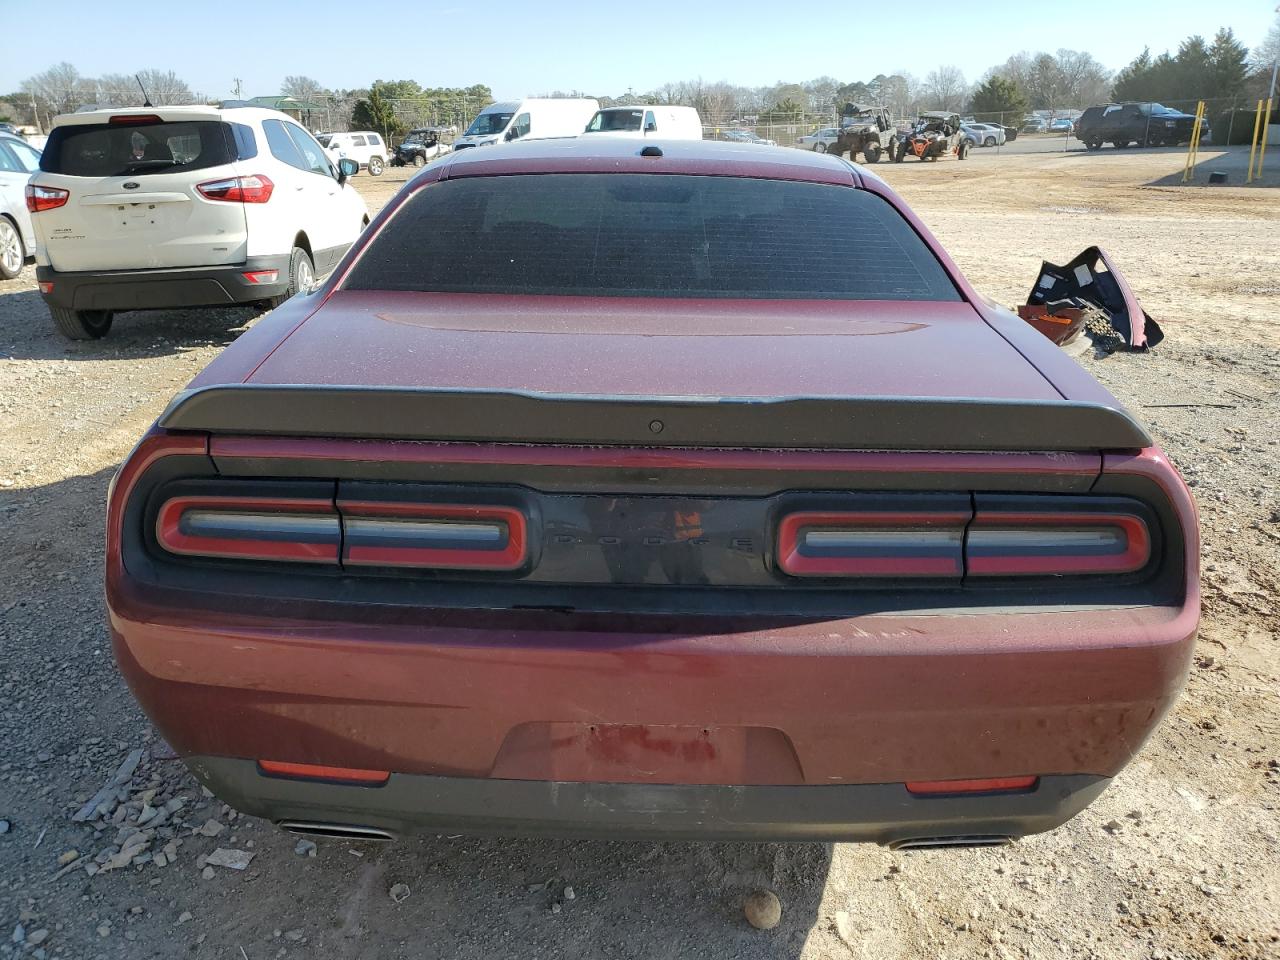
x=136 y=150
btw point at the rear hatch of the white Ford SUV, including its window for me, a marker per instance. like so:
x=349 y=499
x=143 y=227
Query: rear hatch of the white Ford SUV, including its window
x=132 y=193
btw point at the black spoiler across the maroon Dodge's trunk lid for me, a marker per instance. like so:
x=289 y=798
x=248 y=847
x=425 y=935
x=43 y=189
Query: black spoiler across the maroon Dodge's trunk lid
x=824 y=423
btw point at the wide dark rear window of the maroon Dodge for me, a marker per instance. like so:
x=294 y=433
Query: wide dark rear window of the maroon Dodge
x=651 y=236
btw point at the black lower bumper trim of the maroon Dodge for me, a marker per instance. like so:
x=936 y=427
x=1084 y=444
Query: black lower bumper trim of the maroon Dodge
x=880 y=813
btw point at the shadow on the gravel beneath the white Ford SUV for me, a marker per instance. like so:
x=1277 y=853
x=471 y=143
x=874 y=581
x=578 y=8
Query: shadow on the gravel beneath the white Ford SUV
x=28 y=332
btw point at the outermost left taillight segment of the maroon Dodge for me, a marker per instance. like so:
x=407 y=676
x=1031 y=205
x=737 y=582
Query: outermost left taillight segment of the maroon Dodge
x=252 y=528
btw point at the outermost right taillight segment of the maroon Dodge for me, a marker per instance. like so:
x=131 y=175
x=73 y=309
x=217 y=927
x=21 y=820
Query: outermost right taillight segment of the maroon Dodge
x=1045 y=545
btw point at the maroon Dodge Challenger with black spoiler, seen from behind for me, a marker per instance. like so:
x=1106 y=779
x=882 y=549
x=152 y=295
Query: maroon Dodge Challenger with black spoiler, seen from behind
x=669 y=491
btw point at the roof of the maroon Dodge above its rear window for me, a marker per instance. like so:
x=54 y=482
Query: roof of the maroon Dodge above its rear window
x=621 y=156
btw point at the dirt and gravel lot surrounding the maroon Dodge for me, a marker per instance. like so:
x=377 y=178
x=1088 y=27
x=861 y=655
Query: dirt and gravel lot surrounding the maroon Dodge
x=1177 y=861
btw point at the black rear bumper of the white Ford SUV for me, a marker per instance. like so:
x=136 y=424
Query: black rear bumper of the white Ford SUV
x=168 y=289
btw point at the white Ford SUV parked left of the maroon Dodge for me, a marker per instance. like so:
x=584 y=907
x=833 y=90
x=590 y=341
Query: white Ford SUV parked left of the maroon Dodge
x=184 y=207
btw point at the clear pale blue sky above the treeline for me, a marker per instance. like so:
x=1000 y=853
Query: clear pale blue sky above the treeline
x=602 y=49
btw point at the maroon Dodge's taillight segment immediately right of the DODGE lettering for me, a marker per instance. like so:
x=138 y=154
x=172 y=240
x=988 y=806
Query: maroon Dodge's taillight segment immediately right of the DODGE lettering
x=872 y=545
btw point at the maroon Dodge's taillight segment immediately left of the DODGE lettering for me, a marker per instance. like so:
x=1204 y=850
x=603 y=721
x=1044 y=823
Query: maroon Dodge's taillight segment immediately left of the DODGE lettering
x=445 y=537
